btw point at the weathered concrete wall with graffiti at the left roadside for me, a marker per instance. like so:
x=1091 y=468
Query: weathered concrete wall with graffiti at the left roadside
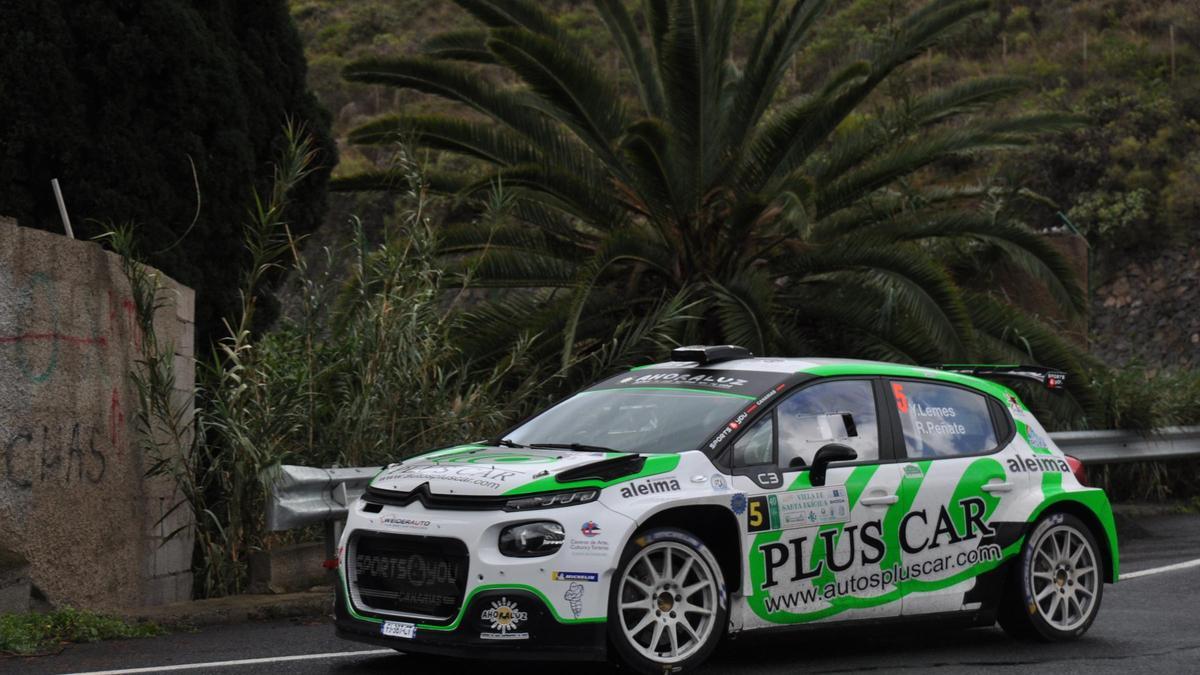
x=74 y=494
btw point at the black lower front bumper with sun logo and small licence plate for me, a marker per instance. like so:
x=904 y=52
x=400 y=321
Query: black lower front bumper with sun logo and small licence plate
x=542 y=636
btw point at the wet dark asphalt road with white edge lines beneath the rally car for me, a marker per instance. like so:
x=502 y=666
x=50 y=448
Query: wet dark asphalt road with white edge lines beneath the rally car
x=1148 y=624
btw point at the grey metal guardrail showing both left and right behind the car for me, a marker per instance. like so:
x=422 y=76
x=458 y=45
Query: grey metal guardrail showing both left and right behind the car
x=303 y=495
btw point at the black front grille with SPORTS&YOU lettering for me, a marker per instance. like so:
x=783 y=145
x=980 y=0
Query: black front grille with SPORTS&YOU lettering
x=423 y=577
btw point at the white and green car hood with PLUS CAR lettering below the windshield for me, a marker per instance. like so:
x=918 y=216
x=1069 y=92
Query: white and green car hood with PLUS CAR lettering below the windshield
x=487 y=471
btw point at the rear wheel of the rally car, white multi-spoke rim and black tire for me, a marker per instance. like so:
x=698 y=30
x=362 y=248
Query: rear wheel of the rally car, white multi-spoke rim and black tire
x=1049 y=600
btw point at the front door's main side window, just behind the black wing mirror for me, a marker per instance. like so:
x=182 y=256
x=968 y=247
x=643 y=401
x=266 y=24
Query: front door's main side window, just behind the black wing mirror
x=842 y=411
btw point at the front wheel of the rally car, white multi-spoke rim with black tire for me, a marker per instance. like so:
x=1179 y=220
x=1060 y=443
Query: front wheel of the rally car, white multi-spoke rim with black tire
x=655 y=547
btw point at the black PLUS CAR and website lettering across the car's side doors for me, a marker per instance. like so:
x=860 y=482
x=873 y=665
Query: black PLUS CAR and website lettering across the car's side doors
x=789 y=563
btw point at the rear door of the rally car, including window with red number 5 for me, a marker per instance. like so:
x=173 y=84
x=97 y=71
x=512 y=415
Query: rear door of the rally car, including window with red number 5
x=955 y=498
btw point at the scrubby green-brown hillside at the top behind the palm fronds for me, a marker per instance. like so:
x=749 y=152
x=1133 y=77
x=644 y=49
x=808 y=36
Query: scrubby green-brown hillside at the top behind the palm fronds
x=1129 y=181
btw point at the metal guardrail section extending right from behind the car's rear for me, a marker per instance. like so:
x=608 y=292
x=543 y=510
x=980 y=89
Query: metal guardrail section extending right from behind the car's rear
x=1120 y=447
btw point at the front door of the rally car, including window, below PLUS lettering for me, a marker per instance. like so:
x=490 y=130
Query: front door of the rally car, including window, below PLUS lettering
x=817 y=552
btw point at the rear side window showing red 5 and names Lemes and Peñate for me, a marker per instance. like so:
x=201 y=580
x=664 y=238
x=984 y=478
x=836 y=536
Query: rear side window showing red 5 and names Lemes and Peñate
x=940 y=421
